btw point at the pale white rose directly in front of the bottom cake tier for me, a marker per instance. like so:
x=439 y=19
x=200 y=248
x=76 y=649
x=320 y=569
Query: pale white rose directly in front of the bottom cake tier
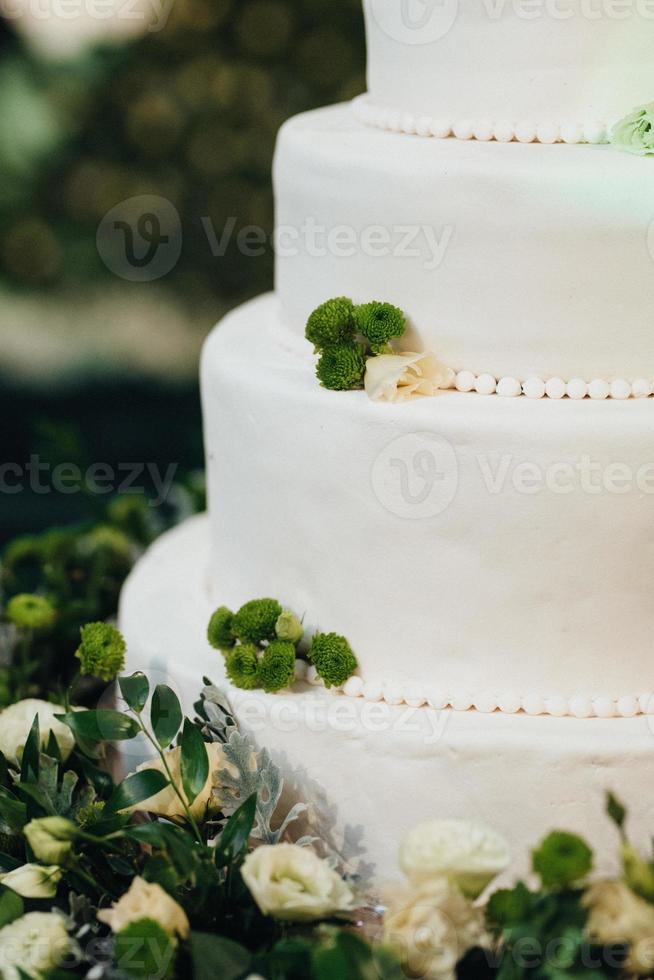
x=467 y=854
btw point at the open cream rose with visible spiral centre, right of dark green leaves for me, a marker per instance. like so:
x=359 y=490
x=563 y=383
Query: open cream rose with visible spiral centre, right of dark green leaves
x=292 y=883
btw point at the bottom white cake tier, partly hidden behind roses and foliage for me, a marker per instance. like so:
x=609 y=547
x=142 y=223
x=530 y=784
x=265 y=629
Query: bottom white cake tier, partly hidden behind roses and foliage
x=371 y=771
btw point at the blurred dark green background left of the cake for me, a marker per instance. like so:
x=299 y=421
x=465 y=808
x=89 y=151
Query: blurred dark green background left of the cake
x=95 y=112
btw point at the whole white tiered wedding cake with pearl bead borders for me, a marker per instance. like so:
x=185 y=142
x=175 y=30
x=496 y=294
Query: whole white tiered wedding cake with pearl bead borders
x=487 y=552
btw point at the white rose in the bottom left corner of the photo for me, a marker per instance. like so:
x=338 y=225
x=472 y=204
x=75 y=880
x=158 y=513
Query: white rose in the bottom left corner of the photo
x=33 y=944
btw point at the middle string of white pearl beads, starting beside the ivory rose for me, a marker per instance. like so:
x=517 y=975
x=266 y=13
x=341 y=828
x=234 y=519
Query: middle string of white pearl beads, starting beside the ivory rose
x=554 y=388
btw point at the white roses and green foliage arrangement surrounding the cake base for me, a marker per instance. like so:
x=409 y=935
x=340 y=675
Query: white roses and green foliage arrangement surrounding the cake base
x=192 y=865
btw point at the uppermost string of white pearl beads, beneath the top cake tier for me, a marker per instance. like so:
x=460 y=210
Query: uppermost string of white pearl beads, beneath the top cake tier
x=484 y=130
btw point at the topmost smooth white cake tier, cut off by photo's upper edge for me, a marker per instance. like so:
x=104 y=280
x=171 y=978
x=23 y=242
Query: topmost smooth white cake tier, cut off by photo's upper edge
x=566 y=63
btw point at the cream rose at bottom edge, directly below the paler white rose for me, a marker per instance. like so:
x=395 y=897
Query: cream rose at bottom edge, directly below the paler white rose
x=431 y=926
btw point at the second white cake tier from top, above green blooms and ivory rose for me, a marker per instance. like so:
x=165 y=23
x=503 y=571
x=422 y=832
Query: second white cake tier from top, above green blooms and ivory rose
x=512 y=259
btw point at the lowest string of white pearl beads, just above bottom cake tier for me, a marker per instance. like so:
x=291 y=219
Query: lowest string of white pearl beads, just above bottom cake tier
x=394 y=692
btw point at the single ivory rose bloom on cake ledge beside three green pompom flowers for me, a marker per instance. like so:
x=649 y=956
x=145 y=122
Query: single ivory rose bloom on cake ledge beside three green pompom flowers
x=399 y=377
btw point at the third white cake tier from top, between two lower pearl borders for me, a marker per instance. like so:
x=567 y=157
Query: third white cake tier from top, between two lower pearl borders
x=480 y=548
